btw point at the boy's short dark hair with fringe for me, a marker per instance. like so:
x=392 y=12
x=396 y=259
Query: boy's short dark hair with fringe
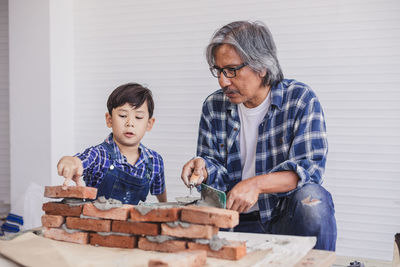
x=132 y=93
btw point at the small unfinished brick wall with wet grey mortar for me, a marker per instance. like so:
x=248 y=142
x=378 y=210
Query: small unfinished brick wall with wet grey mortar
x=176 y=228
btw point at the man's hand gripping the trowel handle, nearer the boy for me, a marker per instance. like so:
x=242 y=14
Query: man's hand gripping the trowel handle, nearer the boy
x=194 y=171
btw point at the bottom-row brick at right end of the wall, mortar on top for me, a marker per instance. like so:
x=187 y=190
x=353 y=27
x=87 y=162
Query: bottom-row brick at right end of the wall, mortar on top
x=234 y=251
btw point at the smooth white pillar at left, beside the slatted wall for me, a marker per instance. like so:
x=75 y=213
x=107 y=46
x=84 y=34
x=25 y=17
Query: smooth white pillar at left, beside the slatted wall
x=41 y=99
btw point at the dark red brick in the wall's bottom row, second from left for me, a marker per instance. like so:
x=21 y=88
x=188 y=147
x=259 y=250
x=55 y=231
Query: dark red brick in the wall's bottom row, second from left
x=113 y=241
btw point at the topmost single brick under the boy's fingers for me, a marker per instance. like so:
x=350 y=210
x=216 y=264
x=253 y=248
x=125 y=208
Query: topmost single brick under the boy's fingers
x=83 y=192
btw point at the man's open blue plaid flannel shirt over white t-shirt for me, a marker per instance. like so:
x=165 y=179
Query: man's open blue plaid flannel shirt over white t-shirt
x=291 y=137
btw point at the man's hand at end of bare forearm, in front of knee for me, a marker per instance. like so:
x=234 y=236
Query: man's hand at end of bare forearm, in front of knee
x=243 y=195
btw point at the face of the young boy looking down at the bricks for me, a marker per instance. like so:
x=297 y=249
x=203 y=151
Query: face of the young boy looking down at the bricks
x=129 y=124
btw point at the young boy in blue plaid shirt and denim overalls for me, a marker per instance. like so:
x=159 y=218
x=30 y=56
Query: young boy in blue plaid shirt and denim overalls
x=121 y=167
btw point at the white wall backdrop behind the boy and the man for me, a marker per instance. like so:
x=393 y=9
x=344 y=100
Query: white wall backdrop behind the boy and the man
x=347 y=51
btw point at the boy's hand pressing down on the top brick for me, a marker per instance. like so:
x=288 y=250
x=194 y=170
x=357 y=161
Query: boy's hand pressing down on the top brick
x=71 y=168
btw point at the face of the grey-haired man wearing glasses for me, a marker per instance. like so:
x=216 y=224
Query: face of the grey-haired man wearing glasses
x=247 y=86
